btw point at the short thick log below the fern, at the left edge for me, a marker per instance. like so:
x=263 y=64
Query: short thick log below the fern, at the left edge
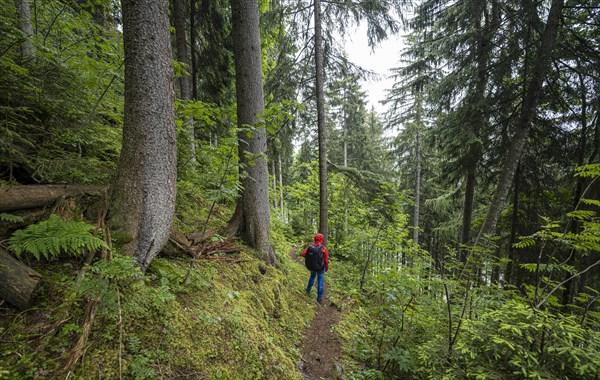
x=18 y=282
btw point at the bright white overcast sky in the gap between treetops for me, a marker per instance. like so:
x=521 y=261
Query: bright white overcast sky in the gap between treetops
x=380 y=60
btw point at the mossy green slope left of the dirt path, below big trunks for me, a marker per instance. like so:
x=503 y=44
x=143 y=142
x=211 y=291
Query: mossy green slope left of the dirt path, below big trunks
x=219 y=320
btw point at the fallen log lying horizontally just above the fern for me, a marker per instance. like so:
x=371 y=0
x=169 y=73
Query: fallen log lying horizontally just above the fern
x=21 y=197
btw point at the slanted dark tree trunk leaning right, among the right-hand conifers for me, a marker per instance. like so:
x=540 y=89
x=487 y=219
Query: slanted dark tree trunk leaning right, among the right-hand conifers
x=528 y=110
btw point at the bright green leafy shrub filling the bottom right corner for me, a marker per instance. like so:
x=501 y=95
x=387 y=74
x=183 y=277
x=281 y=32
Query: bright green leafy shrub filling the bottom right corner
x=517 y=341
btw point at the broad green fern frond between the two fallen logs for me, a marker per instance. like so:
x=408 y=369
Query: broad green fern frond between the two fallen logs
x=54 y=237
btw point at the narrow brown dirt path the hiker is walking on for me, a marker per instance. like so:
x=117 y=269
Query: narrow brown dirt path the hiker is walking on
x=321 y=347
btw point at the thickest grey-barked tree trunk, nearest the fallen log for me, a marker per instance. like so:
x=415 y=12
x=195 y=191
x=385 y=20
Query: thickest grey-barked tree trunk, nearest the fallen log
x=143 y=199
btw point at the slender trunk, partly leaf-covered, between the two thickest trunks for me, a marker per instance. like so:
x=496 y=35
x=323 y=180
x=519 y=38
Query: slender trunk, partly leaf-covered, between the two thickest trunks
x=185 y=83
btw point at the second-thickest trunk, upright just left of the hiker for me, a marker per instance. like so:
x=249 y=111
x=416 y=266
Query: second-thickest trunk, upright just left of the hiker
x=253 y=144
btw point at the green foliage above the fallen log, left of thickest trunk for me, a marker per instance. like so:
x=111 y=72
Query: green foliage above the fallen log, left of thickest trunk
x=62 y=109
